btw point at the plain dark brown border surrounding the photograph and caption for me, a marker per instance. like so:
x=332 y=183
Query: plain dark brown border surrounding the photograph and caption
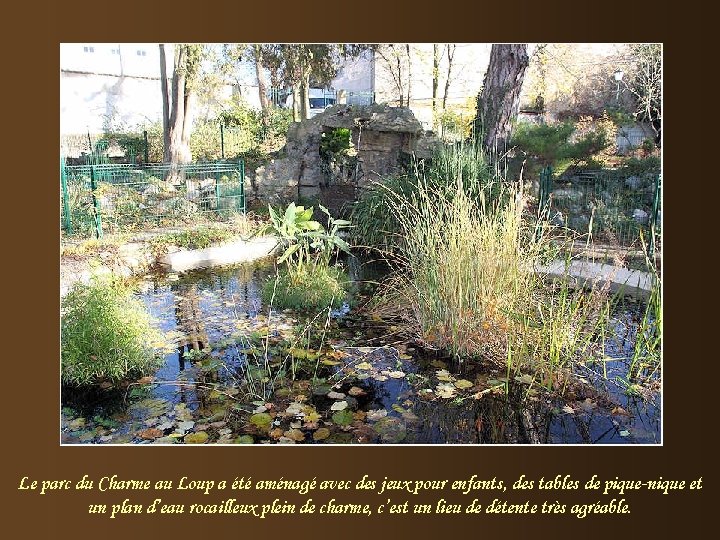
x=30 y=397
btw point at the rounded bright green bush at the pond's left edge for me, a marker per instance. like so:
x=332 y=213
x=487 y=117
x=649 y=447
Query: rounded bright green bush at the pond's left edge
x=106 y=334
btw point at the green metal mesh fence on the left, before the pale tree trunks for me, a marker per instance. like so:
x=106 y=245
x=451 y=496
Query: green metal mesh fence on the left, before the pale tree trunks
x=120 y=197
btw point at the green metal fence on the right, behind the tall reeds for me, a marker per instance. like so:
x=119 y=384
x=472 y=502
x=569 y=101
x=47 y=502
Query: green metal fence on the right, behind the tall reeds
x=613 y=206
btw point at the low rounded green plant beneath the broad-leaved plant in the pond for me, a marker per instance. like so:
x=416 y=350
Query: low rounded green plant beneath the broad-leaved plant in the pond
x=313 y=288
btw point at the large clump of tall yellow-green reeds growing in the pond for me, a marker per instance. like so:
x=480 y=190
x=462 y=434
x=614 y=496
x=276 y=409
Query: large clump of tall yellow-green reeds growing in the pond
x=467 y=280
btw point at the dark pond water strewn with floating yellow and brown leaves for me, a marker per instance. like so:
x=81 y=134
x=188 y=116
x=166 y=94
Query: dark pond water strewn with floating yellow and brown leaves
x=243 y=374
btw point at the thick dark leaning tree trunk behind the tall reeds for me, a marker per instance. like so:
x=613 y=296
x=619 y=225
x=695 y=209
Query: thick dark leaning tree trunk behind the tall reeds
x=498 y=103
